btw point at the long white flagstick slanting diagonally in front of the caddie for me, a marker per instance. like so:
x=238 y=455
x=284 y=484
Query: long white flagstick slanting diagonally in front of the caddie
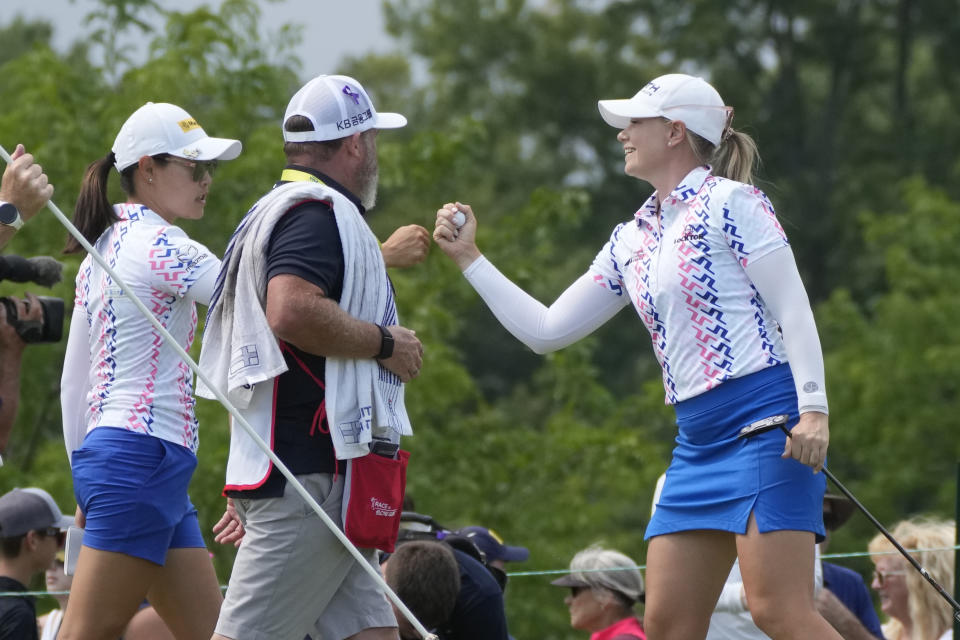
x=170 y=340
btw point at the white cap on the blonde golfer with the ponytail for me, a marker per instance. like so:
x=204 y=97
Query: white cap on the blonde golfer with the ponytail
x=675 y=96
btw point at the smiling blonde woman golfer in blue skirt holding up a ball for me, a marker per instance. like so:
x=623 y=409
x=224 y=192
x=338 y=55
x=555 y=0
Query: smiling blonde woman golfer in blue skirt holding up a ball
x=709 y=271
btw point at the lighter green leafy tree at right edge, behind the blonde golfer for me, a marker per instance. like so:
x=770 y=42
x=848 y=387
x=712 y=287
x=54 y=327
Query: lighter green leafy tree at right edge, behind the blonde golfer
x=894 y=368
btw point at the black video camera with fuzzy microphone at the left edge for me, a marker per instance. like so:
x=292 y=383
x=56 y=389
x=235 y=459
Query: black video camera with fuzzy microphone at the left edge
x=42 y=270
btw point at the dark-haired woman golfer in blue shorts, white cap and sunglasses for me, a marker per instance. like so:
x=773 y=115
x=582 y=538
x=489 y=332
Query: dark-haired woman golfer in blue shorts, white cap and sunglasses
x=127 y=399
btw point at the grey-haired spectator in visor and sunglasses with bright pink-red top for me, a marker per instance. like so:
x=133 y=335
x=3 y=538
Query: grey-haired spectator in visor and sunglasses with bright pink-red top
x=605 y=585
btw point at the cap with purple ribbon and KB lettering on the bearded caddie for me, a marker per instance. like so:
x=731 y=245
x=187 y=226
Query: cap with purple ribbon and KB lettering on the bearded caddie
x=337 y=106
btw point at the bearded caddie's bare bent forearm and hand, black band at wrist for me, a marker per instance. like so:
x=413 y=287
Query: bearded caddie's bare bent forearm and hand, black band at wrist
x=300 y=313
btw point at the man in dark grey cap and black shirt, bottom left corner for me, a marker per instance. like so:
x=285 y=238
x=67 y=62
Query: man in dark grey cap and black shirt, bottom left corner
x=31 y=525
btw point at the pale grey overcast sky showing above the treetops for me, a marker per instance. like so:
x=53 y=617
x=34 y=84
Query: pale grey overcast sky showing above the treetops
x=348 y=27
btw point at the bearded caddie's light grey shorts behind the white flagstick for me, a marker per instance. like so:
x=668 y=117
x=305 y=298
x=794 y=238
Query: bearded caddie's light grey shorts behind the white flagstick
x=293 y=577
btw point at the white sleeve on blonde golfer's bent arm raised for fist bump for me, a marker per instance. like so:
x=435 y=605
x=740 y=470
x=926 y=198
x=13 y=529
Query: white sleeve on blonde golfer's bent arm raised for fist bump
x=579 y=310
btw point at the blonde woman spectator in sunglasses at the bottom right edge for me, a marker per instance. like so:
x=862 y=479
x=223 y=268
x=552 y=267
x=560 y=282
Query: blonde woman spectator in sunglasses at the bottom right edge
x=916 y=610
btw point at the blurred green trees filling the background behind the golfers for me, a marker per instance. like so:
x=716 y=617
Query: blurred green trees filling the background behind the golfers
x=852 y=103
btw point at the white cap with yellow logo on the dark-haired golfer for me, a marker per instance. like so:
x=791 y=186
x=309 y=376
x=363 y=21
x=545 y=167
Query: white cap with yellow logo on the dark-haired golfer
x=160 y=127
